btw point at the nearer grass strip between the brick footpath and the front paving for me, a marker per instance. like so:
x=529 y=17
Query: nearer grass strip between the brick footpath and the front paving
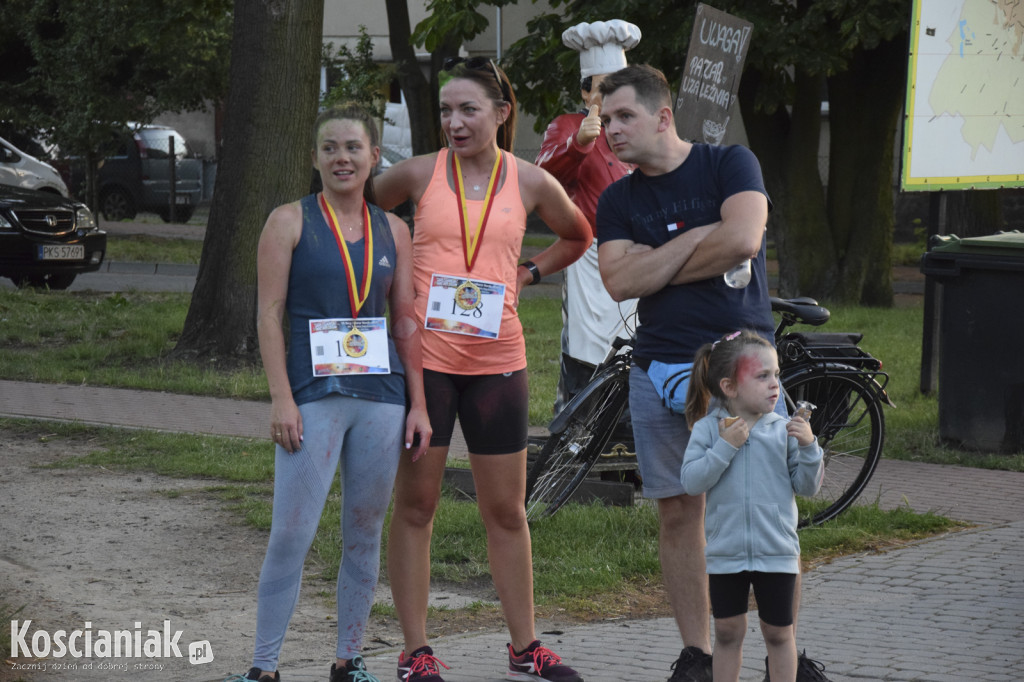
x=585 y=558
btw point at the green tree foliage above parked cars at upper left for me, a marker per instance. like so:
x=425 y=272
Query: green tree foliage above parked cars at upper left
x=77 y=72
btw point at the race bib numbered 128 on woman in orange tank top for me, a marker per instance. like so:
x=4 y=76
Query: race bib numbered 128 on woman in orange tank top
x=459 y=306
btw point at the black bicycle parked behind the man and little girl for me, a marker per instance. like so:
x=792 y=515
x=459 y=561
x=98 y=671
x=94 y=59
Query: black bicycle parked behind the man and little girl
x=828 y=369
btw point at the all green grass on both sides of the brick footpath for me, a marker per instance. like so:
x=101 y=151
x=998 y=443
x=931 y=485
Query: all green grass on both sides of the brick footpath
x=124 y=339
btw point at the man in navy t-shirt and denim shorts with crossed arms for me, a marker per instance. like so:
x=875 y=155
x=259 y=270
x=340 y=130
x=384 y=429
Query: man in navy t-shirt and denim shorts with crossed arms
x=666 y=236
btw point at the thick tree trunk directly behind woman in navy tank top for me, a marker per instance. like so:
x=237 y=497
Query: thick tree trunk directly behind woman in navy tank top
x=272 y=104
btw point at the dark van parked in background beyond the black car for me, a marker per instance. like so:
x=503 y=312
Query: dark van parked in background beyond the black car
x=137 y=177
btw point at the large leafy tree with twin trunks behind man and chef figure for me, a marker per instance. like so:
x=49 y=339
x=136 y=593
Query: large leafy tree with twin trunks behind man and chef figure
x=834 y=238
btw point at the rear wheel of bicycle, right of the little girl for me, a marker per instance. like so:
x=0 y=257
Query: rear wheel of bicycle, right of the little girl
x=850 y=428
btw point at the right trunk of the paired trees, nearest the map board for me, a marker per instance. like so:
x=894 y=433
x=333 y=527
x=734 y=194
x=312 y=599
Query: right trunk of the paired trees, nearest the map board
x=866 y=102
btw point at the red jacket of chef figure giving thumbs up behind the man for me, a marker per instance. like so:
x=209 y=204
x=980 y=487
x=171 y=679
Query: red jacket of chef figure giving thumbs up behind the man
x=584 y=172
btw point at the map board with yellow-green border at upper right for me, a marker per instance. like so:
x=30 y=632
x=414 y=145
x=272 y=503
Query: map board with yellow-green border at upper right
x=964 y=123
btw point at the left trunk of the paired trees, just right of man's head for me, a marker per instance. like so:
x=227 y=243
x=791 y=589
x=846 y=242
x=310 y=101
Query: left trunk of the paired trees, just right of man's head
x=788 y=145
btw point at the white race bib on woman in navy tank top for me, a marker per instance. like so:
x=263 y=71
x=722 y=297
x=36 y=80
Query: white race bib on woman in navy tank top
x=344 y=346
